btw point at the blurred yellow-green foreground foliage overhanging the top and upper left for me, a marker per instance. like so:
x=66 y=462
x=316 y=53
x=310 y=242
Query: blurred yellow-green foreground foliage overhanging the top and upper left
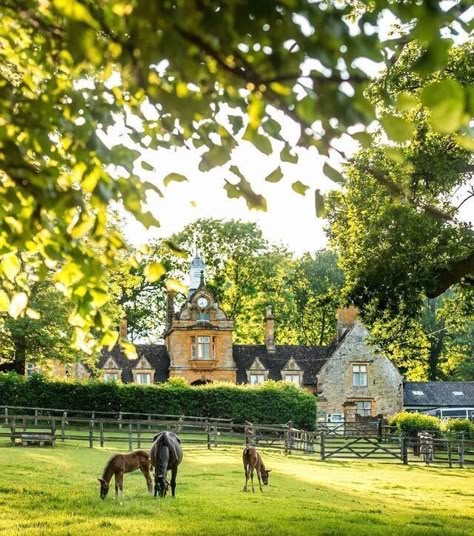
x=189 y=74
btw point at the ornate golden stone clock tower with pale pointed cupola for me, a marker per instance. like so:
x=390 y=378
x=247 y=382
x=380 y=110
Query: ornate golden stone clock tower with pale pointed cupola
x=199 y=337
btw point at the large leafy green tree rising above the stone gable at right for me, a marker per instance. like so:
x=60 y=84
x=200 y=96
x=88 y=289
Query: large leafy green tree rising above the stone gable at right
x=396 y=226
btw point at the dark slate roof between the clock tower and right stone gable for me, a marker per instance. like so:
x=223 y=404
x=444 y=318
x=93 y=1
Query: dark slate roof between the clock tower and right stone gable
x=309 y=358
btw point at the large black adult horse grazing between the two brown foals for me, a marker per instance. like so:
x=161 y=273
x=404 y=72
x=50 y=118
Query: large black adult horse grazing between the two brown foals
x=166 y=454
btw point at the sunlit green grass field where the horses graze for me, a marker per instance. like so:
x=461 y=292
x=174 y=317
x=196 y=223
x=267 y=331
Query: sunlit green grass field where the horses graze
x=55 y=491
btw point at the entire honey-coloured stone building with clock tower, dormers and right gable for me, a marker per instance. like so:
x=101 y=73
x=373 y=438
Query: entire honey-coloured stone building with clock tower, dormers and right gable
x=348 y=377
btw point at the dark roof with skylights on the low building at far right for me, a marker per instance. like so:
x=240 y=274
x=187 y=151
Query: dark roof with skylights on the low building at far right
x=438 y=394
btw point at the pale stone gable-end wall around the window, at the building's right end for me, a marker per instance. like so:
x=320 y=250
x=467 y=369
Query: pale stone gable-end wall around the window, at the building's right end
x=335 y=389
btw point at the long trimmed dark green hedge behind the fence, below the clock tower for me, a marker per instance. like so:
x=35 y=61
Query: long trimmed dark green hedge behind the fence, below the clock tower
x=269 y=403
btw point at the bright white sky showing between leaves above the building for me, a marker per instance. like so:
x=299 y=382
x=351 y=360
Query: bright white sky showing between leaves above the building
x=290 y=218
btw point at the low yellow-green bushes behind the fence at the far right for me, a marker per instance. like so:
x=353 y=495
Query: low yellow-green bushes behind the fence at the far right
x=412 y=423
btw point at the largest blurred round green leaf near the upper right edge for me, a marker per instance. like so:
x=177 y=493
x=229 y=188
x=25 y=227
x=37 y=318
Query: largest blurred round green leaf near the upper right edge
x=446 y=100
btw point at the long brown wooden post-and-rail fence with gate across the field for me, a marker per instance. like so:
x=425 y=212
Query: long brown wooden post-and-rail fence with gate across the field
x=137 y=431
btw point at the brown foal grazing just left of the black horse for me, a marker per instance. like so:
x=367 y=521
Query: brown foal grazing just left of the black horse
x=120 y=464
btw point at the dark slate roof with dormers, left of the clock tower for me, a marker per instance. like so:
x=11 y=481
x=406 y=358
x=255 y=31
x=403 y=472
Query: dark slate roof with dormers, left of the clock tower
x=155 y=354
